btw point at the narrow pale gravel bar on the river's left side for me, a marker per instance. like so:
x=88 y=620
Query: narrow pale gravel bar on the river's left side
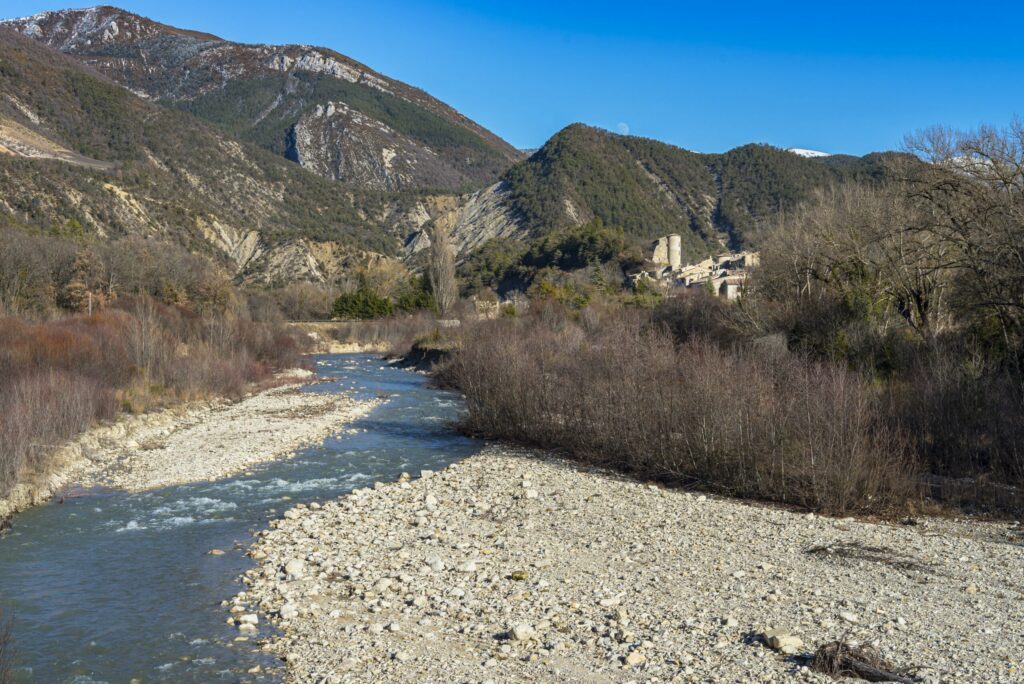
x=220 y=437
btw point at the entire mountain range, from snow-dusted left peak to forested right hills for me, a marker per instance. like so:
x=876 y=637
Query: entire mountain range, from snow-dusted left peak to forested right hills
x=293 y=162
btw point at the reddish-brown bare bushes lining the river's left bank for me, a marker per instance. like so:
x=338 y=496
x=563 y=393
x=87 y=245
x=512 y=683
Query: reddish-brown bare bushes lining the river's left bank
x=59 y=377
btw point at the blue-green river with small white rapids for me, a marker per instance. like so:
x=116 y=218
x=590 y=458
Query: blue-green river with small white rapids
x=113 y=587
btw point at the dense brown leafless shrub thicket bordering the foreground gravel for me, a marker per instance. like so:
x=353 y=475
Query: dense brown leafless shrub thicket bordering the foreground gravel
x=737 y=422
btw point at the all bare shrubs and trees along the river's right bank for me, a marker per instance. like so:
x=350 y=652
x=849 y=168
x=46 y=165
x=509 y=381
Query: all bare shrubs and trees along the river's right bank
x=875 y=361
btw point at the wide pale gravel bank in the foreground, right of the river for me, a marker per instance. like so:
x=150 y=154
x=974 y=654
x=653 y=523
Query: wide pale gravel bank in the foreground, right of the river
x=518 y=568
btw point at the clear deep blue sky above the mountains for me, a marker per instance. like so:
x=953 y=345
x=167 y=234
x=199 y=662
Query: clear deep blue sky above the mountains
x=833 y=76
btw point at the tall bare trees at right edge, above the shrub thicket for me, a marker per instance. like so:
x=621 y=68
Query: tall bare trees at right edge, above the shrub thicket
x=944 y=247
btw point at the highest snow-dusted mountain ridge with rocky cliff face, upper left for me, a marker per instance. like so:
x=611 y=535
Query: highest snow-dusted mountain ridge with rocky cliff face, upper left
x=331 y=114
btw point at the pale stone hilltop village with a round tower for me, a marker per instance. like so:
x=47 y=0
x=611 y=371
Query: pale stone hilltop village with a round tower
x=722 y=275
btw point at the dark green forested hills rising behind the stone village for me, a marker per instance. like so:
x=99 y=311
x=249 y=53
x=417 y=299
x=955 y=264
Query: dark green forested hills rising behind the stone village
x=651 y=189
